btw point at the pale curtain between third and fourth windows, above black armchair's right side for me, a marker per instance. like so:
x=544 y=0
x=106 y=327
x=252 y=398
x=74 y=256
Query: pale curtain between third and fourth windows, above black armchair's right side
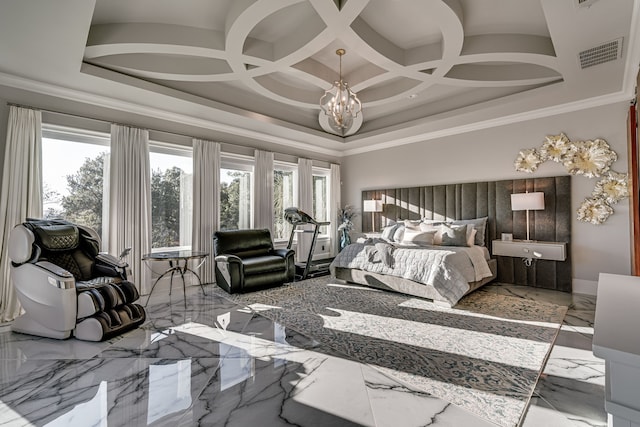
x=263 y=188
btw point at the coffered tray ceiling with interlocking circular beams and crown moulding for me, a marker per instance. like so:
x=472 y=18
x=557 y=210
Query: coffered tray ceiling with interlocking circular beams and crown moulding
x=257 y=68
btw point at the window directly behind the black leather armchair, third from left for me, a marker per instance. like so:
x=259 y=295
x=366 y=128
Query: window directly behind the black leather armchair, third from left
x=236 y=192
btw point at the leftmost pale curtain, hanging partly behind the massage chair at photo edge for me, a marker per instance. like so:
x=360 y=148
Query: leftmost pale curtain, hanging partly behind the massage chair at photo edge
x=21 y=192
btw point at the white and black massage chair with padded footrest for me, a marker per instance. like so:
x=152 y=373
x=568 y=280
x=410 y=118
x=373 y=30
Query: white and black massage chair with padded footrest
x=67 y=286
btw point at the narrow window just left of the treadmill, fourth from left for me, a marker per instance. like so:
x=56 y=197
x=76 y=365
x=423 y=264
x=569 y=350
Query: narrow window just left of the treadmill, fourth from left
x=285 y=191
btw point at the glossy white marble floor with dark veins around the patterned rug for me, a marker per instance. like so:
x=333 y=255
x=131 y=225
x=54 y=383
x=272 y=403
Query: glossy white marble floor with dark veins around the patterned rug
x=217 y=363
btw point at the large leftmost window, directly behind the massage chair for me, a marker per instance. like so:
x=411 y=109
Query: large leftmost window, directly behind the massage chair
x=75 y=177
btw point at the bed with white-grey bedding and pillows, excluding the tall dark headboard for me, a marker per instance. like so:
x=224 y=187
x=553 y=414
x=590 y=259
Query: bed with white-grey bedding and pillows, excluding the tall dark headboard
x=412 y=258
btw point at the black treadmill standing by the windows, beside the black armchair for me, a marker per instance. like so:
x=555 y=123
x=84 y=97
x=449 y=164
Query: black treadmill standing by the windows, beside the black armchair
x=310 y=268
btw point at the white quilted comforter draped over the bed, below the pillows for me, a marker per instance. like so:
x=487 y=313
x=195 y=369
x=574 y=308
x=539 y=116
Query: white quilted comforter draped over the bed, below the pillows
x=449 y=269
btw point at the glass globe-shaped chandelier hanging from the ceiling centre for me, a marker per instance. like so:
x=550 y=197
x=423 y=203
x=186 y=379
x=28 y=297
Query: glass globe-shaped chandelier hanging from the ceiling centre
x=341 y=107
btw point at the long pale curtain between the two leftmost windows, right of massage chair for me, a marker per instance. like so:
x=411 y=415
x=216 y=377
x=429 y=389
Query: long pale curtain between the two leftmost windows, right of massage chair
x=130 y=199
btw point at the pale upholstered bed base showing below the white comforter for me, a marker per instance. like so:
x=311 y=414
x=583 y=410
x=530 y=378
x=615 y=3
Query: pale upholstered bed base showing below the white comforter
x=407 y=286
